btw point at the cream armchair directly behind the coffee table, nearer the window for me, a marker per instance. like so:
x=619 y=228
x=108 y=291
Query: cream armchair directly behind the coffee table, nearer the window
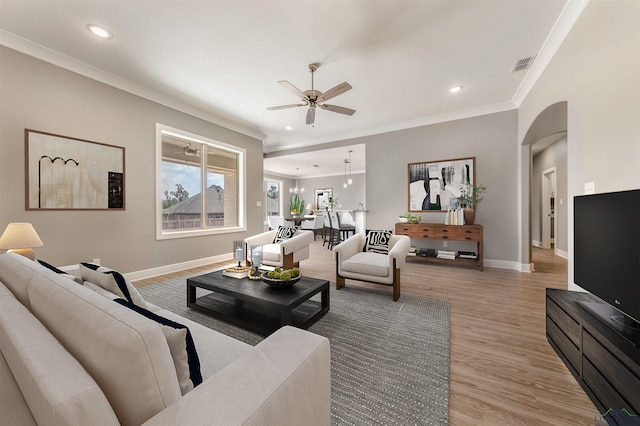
x=286 y=254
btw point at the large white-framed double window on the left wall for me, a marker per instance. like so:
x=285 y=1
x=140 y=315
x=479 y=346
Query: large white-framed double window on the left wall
x=200 y=185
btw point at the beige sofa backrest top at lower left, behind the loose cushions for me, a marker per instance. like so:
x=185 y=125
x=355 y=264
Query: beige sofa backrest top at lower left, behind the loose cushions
x=54 y=385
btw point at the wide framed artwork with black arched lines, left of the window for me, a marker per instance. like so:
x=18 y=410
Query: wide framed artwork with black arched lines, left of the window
x=65 y=173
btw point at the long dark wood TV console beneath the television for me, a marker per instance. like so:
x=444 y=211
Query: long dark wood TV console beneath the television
x=604 y=363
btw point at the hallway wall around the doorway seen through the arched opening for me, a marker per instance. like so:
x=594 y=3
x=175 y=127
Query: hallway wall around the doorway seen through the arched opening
x=553 y=156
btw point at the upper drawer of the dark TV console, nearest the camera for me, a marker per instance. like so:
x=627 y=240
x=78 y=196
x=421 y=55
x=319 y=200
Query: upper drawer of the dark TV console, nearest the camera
x=626 y=382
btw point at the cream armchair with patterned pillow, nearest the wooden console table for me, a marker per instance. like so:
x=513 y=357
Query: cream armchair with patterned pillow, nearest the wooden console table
x=371 y=263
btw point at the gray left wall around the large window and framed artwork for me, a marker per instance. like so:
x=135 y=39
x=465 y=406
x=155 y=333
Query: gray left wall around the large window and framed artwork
x=40 y=96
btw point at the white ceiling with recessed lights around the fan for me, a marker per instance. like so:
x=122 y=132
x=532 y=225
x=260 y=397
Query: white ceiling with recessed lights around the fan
x=221 y=59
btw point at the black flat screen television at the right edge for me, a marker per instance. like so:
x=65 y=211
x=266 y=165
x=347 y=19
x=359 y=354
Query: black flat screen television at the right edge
x=607 y=257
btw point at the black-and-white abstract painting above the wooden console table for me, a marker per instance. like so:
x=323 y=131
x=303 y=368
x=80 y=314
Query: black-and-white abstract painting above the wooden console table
x=435 y=185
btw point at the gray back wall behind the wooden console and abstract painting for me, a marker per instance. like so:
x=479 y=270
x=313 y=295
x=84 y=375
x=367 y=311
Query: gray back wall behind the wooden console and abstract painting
x=490 y=138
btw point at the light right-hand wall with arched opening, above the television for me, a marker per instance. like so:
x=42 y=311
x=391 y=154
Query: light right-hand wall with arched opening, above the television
x=596 y=71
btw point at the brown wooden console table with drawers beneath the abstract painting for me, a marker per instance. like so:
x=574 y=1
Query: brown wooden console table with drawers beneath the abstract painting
x=438 y=231
